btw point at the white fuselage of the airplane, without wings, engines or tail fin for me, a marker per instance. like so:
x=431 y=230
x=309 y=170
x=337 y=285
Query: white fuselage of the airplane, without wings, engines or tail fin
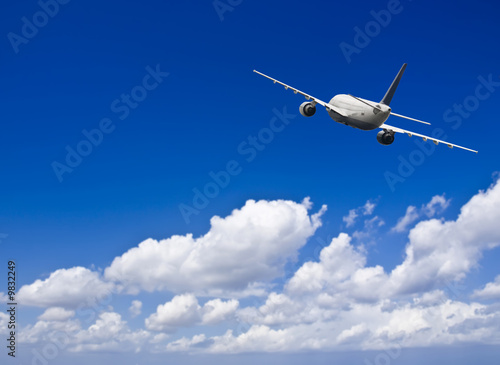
x=360 y=113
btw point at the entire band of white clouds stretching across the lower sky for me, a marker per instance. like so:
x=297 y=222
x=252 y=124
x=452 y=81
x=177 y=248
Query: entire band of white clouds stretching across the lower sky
x=335 y=302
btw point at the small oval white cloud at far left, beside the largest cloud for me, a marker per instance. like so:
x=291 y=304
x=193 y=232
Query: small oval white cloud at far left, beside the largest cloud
x=68 y=288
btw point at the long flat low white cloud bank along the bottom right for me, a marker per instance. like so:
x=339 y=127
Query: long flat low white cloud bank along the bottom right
x=362 y=326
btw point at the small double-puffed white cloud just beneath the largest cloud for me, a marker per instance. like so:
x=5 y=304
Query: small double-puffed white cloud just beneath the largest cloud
x=184 y=311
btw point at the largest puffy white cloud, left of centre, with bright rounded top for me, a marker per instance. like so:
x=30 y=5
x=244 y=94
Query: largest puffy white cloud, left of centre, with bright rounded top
x=251 y=245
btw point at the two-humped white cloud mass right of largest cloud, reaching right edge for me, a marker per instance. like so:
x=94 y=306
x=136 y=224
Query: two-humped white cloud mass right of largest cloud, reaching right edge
x=438 y=252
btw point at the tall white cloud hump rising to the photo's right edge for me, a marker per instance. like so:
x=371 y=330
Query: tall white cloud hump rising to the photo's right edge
x=442 y=251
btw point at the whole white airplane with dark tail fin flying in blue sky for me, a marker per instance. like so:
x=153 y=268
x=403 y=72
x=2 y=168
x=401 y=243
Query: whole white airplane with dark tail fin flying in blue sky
x=363 y=114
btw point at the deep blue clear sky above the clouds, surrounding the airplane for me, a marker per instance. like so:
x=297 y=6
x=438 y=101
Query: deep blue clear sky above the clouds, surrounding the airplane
x=131 y=185
